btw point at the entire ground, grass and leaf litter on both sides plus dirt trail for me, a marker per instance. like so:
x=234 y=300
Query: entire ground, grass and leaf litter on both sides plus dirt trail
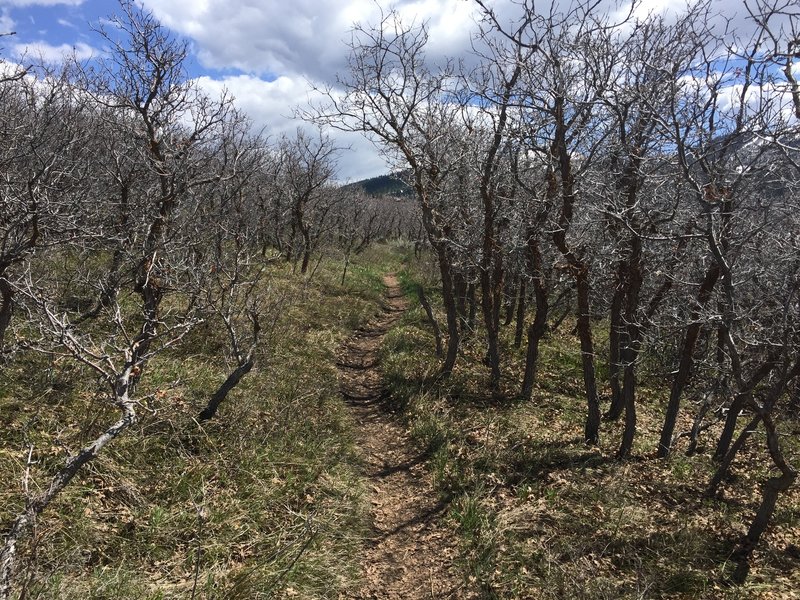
x=344 y=466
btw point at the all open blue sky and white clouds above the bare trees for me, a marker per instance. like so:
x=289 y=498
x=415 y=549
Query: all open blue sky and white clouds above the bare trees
x=269 y=54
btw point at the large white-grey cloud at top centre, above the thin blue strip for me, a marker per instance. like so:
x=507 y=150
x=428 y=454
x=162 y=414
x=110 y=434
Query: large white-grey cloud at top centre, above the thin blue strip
x=299 y=37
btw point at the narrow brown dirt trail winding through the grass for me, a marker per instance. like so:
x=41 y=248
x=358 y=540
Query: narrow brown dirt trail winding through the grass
x=411 y=553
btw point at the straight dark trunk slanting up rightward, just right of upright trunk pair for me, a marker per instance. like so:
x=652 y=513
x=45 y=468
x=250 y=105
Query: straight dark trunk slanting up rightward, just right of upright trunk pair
x=686 y=360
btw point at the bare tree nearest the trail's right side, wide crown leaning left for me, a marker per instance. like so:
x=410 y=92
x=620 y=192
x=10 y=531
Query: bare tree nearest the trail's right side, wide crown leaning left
x=403 y=104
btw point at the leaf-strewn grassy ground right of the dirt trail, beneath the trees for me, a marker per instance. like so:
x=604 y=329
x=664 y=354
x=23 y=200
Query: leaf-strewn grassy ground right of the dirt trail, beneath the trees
x=541 y=515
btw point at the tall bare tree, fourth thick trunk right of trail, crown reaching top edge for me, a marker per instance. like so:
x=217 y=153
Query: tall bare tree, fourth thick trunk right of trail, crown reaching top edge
x=563 y=83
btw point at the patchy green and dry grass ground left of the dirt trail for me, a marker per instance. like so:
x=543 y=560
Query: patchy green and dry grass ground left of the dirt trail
x=262 y=501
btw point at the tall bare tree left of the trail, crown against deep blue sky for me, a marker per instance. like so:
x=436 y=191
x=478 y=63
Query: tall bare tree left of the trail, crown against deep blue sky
x=143 y=80
